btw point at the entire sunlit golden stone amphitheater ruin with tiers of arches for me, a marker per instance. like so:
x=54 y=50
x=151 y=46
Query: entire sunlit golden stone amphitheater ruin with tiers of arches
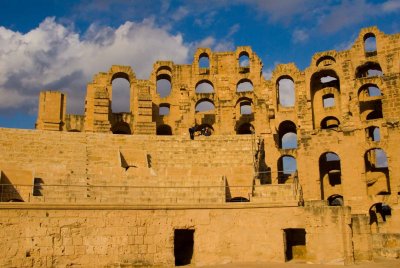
x=304 y=166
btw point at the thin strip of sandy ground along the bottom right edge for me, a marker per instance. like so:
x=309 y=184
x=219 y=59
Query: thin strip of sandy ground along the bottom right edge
x=378 y=263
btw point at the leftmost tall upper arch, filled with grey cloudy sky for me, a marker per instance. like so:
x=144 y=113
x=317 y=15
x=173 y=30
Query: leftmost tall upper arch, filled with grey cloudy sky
x=120 y=94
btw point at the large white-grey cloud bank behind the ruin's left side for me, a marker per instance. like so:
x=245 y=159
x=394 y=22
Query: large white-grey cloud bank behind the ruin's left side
x=55 y=57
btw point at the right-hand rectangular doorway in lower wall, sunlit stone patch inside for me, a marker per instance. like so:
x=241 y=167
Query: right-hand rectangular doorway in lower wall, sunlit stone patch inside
x=295 y=244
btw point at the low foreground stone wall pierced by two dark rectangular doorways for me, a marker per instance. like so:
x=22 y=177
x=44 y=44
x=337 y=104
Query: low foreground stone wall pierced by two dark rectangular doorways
x=99 y=236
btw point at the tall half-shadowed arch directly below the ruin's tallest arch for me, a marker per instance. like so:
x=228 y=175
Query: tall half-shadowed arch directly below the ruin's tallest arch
x=330 y=174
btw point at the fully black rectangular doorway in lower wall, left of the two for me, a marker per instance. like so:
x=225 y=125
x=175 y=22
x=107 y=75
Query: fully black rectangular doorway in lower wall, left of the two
x=183 y=246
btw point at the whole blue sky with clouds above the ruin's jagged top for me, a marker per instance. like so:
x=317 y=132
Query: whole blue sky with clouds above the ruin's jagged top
x=60 y=45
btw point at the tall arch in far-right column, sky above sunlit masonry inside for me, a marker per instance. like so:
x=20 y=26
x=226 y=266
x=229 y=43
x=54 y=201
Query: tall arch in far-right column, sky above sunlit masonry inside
x=377 y=172
